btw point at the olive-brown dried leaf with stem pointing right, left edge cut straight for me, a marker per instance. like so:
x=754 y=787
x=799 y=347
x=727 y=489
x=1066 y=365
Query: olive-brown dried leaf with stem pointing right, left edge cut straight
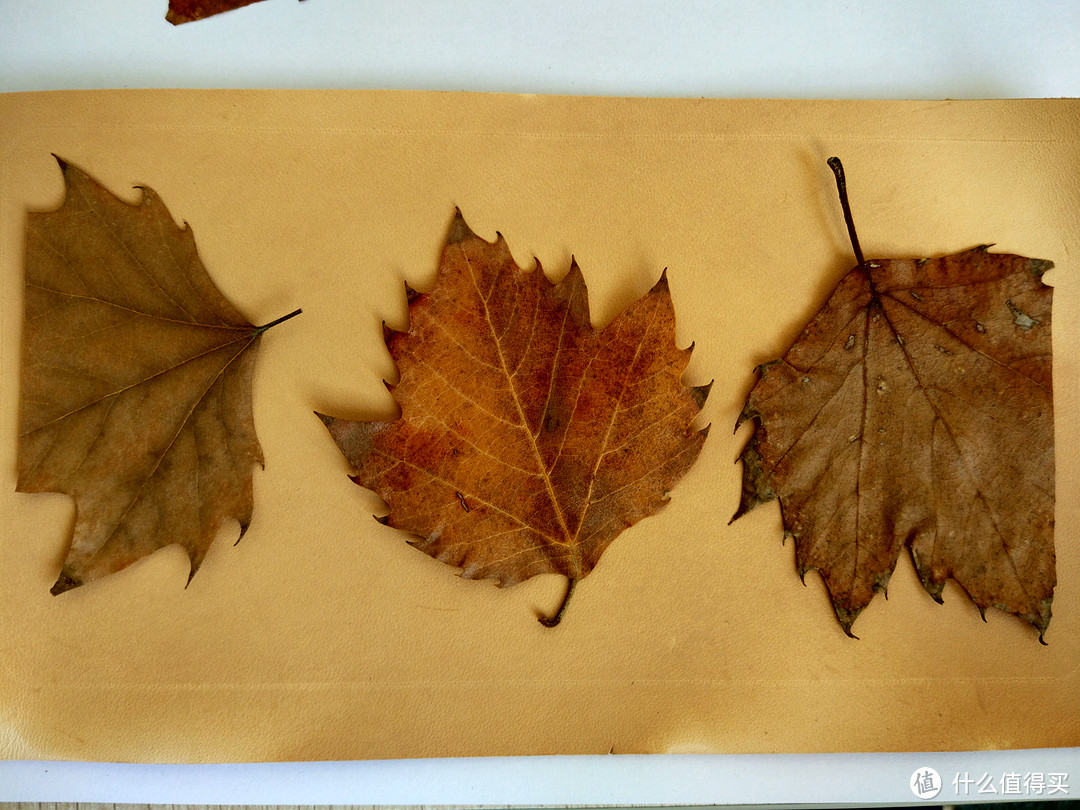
x=137 y=383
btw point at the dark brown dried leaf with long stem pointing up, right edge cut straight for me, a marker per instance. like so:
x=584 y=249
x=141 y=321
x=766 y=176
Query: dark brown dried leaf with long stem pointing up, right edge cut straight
x=916 y=411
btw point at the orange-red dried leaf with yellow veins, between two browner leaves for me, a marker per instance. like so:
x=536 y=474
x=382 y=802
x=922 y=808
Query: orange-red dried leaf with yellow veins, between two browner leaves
x=528 y=439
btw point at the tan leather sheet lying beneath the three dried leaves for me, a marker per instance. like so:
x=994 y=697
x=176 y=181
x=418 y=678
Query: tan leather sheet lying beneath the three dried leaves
x=323 y=636
